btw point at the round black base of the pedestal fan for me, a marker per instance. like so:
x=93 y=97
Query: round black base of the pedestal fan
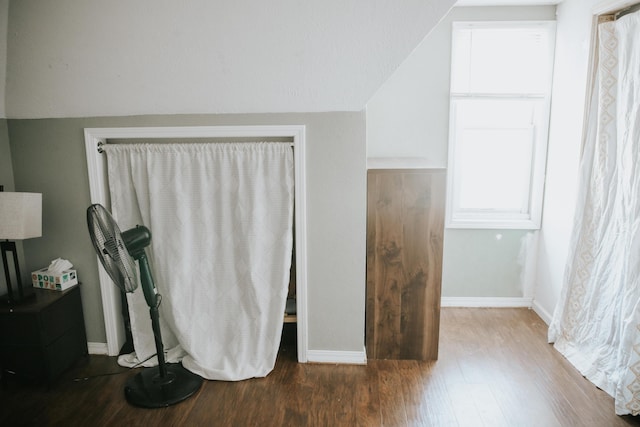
x=148 y=389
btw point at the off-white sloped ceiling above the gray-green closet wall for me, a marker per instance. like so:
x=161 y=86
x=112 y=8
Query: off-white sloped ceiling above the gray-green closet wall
x=69 y=58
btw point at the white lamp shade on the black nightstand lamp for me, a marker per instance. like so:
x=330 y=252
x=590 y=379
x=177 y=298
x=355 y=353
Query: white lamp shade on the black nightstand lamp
x=20 y=215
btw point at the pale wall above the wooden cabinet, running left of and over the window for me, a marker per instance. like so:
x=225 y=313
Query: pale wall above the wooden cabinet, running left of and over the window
x=409 y=115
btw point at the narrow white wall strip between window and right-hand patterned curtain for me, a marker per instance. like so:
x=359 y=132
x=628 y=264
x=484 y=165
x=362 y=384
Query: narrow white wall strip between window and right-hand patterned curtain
x=574 y=25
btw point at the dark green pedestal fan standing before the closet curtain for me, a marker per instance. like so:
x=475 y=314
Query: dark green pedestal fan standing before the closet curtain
x=165 y=384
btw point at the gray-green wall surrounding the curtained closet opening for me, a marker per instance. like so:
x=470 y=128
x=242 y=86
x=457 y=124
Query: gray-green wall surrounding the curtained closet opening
x=49 y=157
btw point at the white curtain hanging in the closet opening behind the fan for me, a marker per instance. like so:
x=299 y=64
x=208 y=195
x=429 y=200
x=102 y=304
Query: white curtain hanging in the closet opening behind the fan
x=221 y=217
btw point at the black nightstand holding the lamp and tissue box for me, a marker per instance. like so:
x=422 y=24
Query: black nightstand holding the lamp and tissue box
x=43 y=336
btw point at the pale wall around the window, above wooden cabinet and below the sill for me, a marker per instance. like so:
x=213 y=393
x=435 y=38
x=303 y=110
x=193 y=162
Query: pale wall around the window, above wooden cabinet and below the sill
x=408 y=118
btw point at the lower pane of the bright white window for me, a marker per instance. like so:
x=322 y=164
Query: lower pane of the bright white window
x=494 y=153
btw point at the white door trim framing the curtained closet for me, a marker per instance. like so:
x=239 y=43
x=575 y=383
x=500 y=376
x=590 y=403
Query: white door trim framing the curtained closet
x=99 y=190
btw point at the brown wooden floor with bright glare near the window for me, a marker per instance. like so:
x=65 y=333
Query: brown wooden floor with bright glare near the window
x=495 y=369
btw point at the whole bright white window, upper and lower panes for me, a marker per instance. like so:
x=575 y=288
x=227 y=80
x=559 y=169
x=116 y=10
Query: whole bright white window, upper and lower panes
x=500 y=96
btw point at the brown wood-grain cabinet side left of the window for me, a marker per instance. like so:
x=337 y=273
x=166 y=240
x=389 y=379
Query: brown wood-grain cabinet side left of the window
x=405 y=232
